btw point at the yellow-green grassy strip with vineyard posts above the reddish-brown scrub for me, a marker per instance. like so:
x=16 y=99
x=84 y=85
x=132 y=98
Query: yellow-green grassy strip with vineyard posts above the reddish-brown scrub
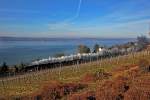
x=30 y=83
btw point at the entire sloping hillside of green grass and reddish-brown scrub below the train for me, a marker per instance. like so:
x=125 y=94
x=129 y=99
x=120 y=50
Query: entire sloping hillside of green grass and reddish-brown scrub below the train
x=110 y=77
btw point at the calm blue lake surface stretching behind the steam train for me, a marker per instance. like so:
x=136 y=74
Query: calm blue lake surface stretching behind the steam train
x=14 y=52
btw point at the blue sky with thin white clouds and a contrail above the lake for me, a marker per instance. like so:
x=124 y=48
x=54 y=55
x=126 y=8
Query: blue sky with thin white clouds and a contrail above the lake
x=74 y=18
